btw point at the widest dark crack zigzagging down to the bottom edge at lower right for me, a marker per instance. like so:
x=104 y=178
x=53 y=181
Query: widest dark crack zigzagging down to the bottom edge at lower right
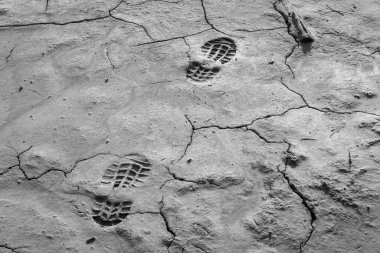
x=305 y=203
